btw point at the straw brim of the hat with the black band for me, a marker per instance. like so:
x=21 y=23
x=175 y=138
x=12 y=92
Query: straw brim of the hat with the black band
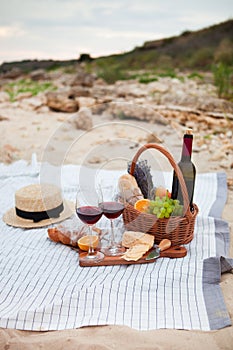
x=10 y=217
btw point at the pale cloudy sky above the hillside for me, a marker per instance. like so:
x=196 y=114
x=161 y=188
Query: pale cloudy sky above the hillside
x=64 y=29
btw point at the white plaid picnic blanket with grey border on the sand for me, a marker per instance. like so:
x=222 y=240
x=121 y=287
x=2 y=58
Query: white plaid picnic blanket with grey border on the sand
x=43 y=288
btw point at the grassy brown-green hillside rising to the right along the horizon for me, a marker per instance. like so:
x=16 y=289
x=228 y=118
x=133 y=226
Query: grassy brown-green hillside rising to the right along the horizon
x=209 y=49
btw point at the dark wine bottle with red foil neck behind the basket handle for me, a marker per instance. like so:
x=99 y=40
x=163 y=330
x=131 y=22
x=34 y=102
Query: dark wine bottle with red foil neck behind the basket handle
x=188 y=170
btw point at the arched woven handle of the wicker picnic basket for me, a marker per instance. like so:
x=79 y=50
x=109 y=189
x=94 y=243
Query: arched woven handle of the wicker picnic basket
x=173 y=164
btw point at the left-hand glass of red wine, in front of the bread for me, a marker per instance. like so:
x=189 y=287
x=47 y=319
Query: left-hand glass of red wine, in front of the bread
x=89 y=212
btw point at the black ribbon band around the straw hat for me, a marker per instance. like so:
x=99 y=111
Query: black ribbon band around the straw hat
x=37 y=216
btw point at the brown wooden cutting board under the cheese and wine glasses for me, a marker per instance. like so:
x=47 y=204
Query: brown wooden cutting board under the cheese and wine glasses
x=172 y=252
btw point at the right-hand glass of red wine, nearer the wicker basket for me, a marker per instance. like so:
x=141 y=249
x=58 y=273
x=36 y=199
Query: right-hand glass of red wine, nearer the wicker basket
x=112 y=209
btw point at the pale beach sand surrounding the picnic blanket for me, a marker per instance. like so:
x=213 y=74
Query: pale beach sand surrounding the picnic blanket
x=107 y=145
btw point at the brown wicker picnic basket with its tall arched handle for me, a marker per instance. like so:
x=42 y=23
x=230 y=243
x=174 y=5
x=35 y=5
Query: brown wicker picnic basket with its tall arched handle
x=179 y=229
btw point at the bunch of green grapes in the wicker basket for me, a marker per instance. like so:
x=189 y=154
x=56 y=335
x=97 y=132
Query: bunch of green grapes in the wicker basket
x=165 y=207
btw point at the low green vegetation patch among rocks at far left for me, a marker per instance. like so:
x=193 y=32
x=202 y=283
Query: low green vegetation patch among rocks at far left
x=27 y=85
